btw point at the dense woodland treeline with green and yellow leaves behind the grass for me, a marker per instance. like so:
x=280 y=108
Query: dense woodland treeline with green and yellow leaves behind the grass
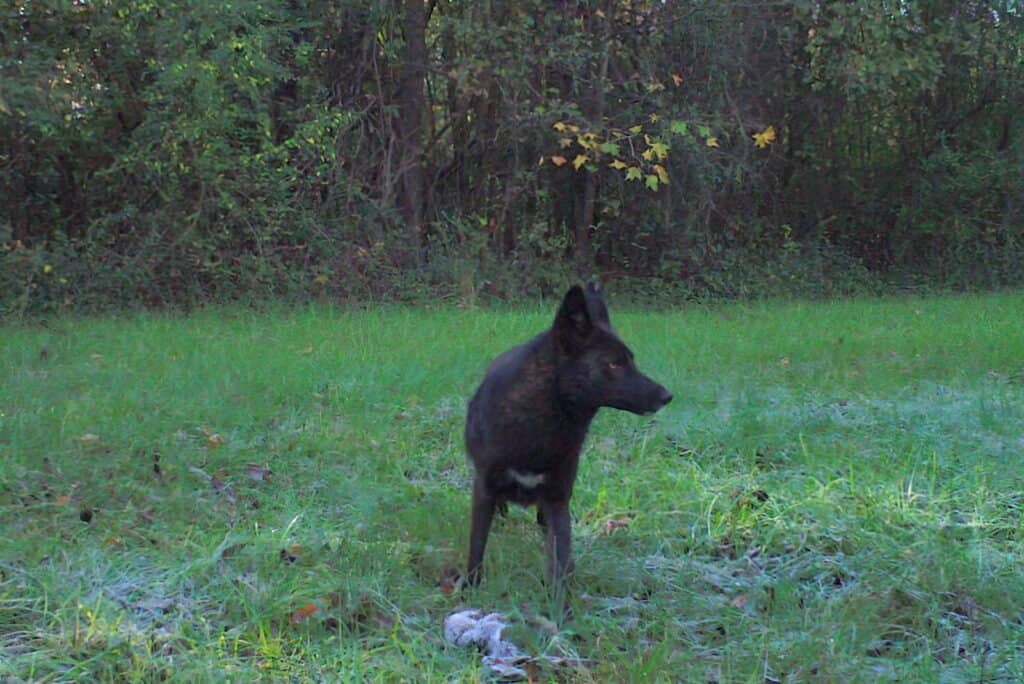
x=181 y=151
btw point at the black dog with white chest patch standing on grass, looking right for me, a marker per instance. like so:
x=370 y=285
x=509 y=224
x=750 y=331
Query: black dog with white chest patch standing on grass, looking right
x=529 y=419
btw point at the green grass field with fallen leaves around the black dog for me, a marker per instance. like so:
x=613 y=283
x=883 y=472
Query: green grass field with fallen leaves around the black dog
x=836 y=494
